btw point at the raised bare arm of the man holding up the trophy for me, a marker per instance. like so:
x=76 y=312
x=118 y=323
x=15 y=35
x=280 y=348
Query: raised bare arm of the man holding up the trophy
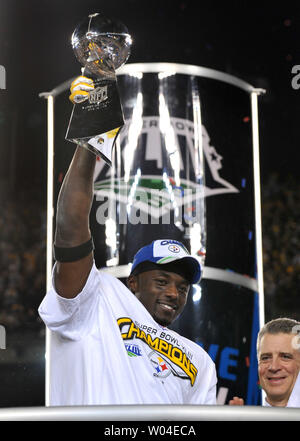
x=72 y=224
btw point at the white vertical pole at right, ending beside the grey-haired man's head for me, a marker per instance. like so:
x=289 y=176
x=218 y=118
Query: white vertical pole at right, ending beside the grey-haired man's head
x=257 y=202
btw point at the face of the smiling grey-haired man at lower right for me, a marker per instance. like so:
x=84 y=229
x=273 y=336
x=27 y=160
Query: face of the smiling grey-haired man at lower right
x=278 y=367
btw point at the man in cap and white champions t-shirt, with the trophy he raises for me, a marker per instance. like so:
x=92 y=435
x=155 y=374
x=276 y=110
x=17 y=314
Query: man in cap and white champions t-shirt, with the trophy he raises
x=110 y=343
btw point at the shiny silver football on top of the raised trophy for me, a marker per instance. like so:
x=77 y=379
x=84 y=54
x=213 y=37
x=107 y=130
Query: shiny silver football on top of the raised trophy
x=101 y=44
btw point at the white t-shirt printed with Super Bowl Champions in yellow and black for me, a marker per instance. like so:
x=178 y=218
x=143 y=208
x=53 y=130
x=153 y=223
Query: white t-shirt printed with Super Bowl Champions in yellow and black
x=107 y=349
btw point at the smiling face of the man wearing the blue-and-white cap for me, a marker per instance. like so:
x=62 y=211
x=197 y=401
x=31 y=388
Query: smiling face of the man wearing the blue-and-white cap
x=163 y=294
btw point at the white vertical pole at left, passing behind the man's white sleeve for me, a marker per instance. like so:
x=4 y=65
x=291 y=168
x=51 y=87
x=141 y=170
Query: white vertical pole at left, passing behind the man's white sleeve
x=50 y=211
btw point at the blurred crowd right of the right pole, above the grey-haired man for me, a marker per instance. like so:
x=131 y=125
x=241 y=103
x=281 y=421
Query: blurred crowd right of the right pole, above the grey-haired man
x=281 y=246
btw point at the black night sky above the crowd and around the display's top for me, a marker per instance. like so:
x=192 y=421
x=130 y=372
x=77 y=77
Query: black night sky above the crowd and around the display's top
x=257 y=42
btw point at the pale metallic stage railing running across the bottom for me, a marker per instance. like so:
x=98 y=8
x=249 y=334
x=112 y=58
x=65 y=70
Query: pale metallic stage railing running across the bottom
x=151 y=413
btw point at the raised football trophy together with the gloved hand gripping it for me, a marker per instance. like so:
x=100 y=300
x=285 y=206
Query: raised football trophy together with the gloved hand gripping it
x=101 y=45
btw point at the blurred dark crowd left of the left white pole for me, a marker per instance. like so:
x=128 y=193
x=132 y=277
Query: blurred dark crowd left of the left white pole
x=22 y=262
